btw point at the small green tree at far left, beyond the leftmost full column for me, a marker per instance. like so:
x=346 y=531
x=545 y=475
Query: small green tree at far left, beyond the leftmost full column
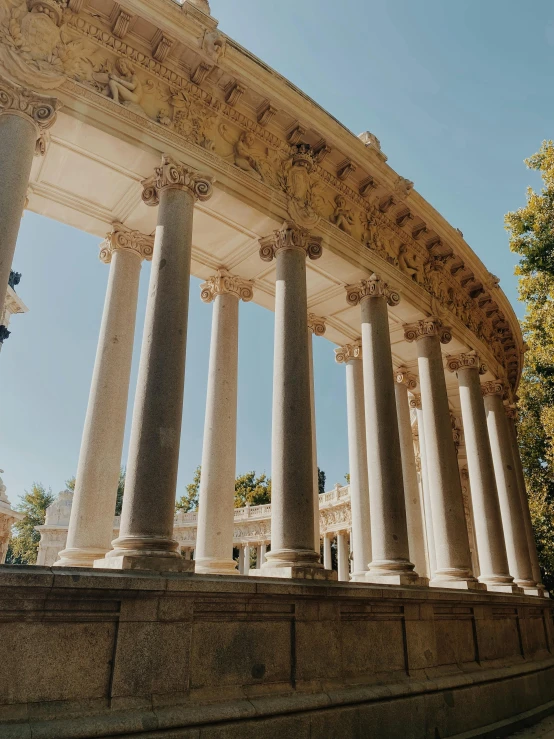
x=23 y=546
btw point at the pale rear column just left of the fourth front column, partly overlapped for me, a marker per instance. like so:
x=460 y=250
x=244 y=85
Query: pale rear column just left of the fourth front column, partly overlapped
x=351 y=356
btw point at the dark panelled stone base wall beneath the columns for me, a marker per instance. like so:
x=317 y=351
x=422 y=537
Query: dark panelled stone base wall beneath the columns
x=97 y=654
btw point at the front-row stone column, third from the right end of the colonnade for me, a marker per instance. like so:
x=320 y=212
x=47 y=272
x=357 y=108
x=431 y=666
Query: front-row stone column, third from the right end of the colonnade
x=487 y=518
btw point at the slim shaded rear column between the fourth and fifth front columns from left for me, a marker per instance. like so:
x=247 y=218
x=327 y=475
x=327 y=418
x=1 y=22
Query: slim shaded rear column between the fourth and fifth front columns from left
x=405 y=381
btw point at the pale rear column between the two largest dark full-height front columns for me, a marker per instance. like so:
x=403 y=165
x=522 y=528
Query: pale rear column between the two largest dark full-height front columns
x=214 y=541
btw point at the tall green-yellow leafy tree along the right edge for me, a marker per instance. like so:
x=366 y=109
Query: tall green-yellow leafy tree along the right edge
x=531 y=230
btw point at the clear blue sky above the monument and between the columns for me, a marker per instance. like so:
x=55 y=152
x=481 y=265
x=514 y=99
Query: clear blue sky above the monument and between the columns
x=459 y=93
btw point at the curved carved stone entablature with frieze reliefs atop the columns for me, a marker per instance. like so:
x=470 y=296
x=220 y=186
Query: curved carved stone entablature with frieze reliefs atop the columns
x=181 y=83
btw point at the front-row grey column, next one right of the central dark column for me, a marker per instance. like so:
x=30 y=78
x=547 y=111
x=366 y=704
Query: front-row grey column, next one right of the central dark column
x=389 y=533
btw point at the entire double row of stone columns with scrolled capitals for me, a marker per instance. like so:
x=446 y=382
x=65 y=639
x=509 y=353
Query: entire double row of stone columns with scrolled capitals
x=399 y=537
